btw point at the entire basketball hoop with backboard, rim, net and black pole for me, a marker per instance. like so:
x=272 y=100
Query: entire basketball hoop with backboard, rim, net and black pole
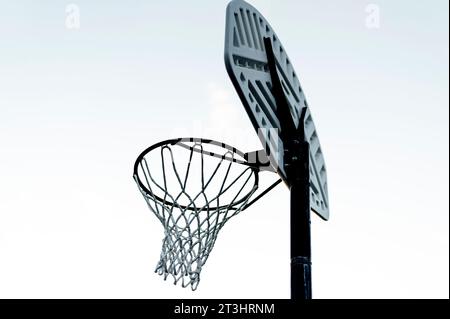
x=195 y=186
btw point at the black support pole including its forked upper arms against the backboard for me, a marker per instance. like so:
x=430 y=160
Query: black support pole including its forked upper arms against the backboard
x=297 y=168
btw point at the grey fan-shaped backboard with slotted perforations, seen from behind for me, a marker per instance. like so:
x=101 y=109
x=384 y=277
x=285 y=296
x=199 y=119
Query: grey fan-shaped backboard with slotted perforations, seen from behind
x=247 y=65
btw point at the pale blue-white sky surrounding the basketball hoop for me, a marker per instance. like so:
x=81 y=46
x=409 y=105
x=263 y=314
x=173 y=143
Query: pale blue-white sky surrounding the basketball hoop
x=77 y=106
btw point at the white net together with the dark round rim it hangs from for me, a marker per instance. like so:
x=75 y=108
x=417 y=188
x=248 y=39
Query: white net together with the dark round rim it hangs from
x=194 y=187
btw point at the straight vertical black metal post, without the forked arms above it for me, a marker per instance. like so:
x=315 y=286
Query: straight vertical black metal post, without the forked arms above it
x=300 y=225
